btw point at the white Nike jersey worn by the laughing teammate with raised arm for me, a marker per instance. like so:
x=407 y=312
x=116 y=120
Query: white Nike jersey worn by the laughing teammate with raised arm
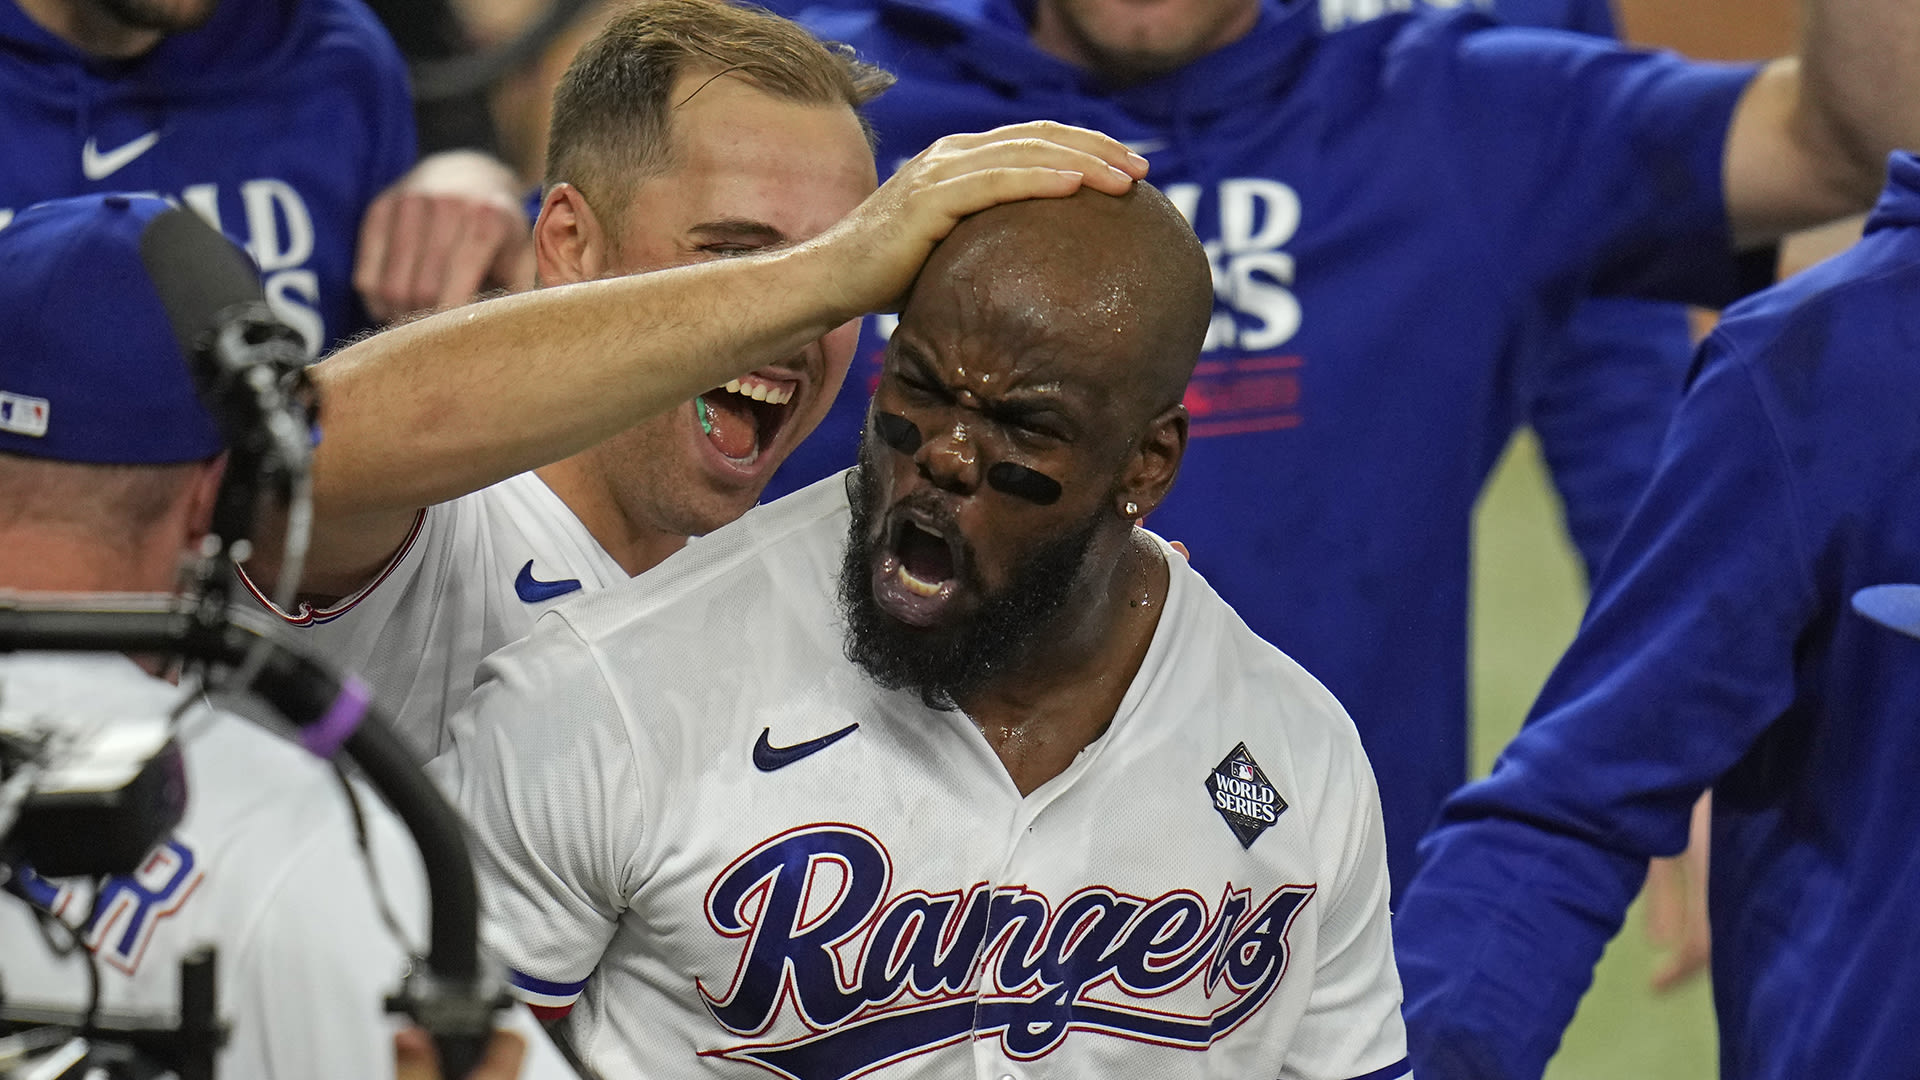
x=471 y=577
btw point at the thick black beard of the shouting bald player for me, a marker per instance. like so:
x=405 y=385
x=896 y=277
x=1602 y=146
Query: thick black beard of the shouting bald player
x=946 y=664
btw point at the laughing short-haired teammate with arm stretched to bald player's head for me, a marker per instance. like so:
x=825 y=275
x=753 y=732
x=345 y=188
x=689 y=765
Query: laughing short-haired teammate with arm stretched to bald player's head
x=686 y=132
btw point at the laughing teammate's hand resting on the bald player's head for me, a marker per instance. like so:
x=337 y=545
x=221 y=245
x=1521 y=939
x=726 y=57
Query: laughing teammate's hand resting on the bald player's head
x=882 y=245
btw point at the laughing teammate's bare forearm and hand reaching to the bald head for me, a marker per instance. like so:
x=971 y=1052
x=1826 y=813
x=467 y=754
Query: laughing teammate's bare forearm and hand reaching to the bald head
x=450 y=405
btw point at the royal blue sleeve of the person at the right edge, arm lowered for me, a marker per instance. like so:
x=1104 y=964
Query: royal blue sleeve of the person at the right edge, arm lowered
x=1687 y=656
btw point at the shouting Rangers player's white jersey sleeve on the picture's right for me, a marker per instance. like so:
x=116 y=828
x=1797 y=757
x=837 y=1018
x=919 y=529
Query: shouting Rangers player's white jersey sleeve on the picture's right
x=1353 y=1027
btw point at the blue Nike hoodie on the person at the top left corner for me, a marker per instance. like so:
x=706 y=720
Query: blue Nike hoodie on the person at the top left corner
x=277 y=120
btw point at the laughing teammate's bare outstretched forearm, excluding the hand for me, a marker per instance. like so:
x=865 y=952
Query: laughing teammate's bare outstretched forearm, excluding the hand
x=456 y=403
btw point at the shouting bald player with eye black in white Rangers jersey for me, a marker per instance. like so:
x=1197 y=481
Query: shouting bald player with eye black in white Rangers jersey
x=942 y=768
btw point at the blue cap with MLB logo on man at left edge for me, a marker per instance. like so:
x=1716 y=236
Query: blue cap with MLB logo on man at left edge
x=91 y=368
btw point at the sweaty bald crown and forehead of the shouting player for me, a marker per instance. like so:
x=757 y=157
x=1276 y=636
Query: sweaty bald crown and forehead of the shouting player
x=1118 y=282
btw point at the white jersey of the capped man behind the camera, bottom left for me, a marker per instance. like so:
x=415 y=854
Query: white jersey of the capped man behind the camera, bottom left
x=264 y=868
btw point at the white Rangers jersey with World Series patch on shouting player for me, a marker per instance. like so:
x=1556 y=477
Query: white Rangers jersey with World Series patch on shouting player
x=748 y=860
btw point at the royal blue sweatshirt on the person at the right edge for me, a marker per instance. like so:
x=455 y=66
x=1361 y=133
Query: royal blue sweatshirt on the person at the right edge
x=1721 y=652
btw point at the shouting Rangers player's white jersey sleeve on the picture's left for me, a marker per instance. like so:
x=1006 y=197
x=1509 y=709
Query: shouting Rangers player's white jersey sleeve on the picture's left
x=546 y=773
